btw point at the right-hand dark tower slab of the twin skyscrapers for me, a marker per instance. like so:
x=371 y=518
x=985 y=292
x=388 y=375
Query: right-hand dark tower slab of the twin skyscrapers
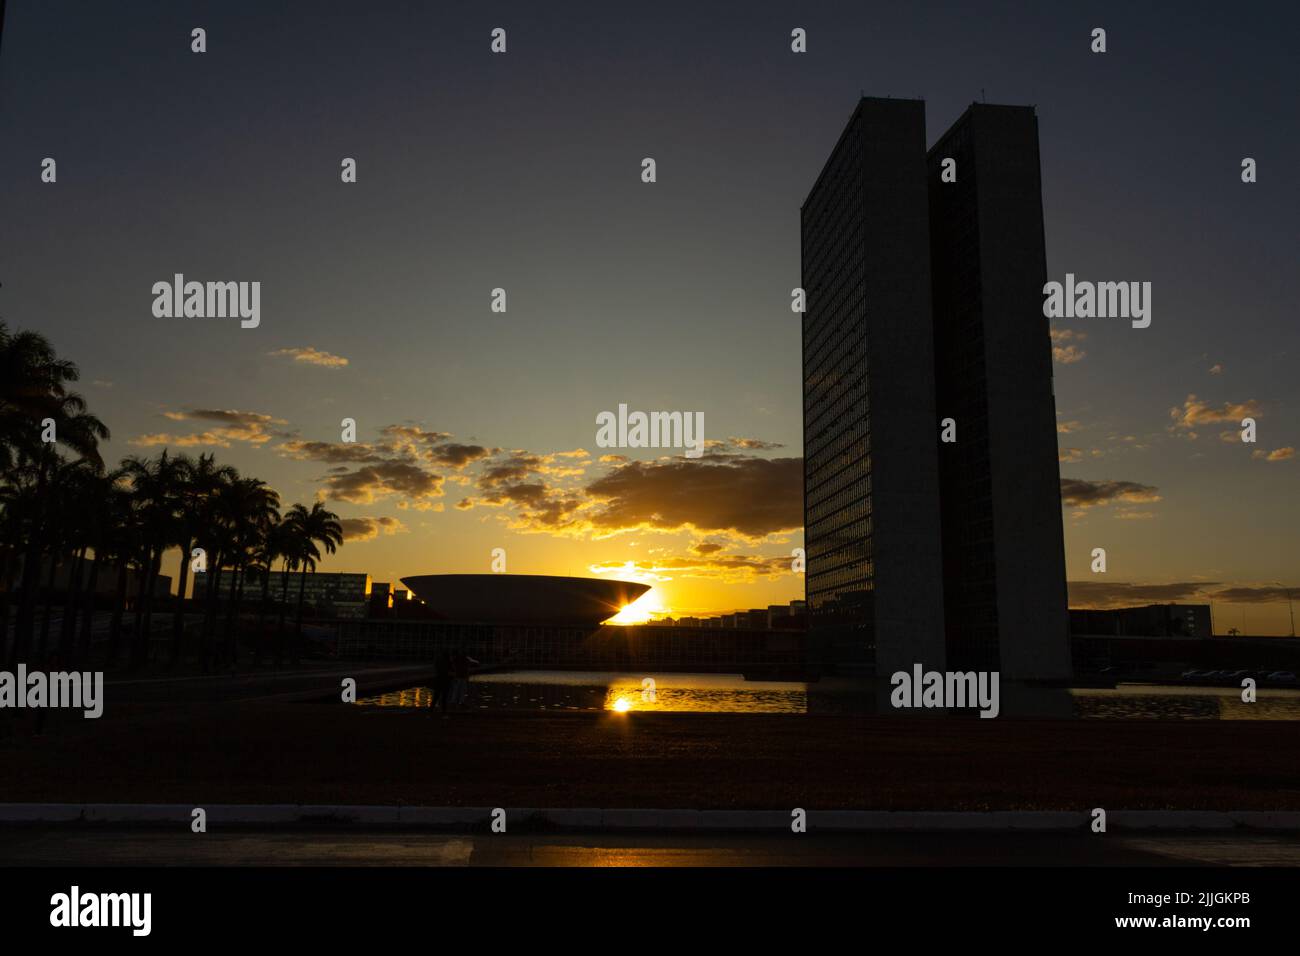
x=1000 y=483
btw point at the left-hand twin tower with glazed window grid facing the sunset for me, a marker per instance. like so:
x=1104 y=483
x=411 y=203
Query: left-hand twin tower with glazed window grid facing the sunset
x=870 y=464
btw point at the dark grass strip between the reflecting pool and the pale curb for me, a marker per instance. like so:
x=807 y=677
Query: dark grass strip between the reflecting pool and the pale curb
x=302 y=752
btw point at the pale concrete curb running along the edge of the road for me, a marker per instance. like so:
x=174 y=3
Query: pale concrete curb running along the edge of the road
x=596 y=819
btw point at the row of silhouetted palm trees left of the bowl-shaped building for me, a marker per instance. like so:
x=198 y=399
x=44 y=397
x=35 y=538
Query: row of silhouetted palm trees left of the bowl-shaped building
x=60 y=505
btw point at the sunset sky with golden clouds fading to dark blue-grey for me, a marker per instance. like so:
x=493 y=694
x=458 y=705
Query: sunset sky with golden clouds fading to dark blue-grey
x=522 y=171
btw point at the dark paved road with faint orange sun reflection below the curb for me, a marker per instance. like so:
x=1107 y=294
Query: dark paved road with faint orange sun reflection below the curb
x=92 y=847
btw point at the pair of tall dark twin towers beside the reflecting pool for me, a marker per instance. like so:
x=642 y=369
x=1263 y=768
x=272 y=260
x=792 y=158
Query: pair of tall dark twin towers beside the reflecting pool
x=931 y=485
